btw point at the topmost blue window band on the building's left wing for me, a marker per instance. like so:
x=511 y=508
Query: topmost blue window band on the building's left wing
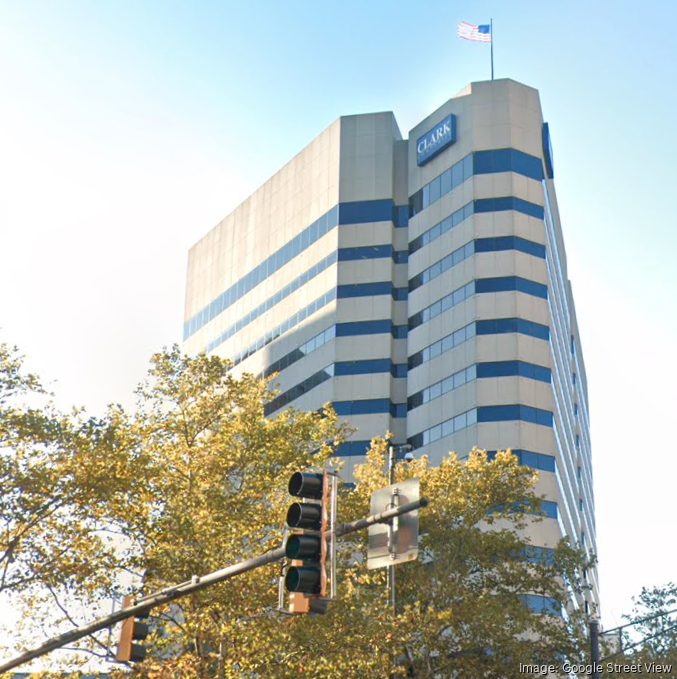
x=345 y=213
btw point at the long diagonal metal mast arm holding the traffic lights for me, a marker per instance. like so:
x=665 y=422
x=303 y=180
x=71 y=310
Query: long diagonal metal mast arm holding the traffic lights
x=194 y=585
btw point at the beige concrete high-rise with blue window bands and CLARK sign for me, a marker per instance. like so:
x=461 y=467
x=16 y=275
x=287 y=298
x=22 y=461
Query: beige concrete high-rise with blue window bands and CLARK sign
x=420 y=285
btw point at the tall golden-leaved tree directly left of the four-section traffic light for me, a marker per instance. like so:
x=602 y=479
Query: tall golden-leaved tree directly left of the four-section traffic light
x=215 y=492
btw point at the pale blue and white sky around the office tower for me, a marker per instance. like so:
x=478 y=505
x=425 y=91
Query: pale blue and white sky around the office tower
x=129 y=129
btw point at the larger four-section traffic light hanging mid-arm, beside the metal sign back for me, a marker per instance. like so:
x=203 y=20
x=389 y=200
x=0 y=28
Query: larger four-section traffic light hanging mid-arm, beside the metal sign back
x=309 y=526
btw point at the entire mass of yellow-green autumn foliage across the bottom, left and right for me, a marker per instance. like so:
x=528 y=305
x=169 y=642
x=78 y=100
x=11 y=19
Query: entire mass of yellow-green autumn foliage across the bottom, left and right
x=194 y=479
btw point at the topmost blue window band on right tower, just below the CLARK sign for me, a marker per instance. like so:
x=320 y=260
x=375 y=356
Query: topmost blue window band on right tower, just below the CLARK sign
x=478 y=162
